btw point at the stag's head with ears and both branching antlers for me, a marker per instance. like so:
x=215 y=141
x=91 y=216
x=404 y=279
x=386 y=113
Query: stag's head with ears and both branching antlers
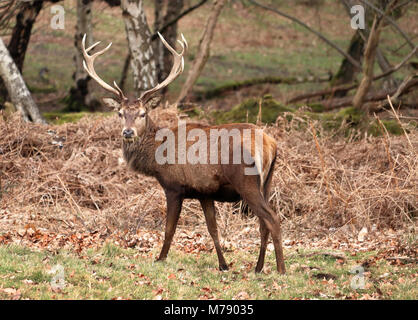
x=133 y=114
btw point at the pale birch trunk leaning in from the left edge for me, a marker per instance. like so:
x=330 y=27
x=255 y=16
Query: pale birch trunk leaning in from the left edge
x=16 y=87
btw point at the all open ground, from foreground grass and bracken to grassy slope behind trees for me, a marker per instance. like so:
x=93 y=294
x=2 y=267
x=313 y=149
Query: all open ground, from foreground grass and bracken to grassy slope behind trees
x=347 y=202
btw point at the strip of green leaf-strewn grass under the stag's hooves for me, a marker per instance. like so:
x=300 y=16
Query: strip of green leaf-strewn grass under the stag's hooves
x=111 y=272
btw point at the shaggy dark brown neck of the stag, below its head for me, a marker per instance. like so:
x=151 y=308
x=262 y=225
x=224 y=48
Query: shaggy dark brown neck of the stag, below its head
x=140 y=154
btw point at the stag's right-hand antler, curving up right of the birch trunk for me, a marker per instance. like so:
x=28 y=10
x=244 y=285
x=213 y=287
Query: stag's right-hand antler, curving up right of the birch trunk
x=176 y=70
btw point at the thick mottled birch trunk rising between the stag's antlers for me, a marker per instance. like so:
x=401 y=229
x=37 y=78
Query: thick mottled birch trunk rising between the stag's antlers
x=139 y=40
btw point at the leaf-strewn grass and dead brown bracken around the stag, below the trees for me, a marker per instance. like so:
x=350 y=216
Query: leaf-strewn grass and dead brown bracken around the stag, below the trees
x=68 y=199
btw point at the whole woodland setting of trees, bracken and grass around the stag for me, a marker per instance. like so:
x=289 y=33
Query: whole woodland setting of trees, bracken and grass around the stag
x=345 y=183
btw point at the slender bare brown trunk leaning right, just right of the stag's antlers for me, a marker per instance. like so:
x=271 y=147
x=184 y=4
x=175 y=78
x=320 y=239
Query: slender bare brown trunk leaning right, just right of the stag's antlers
x=203 y=50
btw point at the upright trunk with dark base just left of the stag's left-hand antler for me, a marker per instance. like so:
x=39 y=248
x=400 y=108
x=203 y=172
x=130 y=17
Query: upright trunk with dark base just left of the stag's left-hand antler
x=80 y=94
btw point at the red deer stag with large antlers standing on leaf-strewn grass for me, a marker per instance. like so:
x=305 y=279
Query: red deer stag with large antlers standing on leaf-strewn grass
x=228 y=181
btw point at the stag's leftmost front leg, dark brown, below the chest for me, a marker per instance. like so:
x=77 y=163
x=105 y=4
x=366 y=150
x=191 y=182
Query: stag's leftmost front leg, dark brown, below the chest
x=174 y=203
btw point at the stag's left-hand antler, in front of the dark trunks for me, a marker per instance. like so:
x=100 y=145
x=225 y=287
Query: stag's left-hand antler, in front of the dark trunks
x=89 y=67
